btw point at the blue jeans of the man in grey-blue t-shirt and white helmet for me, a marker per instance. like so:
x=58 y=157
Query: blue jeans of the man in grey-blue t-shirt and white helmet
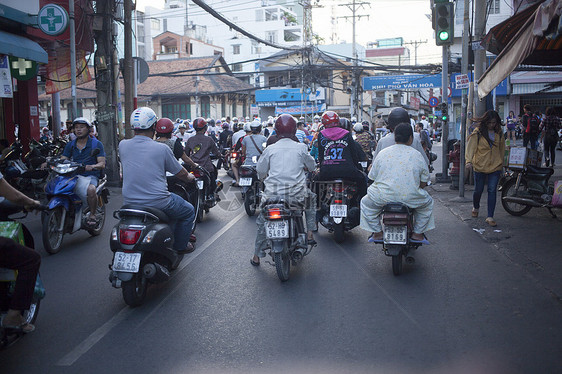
x=182 y=215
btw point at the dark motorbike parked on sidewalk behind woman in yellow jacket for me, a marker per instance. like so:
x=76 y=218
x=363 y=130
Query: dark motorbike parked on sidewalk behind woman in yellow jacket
x=522 y=190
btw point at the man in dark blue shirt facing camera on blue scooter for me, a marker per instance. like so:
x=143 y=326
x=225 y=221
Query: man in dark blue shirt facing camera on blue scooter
x=80 y=150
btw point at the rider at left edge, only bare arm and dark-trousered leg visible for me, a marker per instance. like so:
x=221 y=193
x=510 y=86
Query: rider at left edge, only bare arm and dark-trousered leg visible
x=25 y=260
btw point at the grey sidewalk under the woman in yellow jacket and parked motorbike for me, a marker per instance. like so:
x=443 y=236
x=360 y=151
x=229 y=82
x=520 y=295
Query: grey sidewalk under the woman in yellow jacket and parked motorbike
x=532 y=241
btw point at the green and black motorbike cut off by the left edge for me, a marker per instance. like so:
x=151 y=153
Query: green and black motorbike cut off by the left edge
x=12 y=228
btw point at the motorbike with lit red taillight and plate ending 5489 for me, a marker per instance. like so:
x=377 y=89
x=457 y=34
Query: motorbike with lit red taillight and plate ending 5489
x=285 y=230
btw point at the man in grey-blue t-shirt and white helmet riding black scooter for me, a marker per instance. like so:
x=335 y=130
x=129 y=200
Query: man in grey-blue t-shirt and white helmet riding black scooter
x=145 y=163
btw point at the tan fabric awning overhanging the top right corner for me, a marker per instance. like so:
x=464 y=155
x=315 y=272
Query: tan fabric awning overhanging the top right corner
x=530 y=37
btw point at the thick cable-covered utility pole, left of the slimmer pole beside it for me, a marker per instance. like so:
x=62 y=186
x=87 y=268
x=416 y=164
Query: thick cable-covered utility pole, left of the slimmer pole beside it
x=103 y=60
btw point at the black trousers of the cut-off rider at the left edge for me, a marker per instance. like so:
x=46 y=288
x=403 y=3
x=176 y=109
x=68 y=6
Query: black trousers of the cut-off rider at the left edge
x=26 y=261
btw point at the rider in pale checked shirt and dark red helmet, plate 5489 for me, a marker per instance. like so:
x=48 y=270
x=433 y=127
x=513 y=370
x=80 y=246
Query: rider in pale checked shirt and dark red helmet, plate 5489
x=283 y=166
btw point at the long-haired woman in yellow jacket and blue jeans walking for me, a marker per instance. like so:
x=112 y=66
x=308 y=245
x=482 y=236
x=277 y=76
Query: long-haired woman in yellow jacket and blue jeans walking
x=485 y=151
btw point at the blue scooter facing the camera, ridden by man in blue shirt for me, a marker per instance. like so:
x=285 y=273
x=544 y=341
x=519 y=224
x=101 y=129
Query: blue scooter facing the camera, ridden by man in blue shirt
x=67 y=213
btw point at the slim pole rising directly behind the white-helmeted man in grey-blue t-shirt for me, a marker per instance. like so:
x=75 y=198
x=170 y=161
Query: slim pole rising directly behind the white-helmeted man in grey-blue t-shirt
x=128 y=72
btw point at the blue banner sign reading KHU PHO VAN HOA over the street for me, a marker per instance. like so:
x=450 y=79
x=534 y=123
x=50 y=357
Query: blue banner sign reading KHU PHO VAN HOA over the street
x=401 y=82
